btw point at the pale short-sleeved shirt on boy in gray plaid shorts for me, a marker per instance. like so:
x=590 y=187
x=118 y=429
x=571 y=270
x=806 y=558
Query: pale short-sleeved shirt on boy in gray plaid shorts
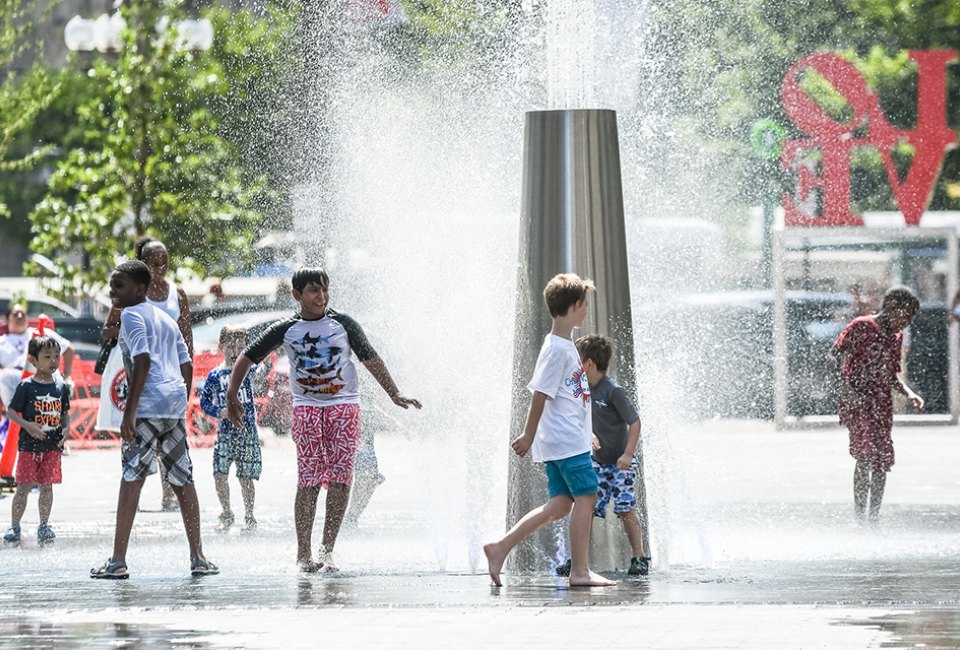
x=144 y=329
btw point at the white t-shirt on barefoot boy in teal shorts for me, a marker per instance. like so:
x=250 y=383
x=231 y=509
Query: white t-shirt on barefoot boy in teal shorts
x=565 y=426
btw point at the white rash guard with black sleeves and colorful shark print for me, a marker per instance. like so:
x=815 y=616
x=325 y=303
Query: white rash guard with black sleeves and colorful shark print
x=321 y=352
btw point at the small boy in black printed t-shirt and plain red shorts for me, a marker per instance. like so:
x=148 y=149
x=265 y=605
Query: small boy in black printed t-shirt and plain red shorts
x=40 y=407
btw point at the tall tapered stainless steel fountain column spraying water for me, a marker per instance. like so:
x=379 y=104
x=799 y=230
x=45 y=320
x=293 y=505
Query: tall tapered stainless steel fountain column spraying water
x=572 y=221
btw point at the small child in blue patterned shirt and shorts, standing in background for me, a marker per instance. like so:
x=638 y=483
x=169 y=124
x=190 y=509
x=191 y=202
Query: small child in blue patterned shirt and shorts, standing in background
x=240 y=445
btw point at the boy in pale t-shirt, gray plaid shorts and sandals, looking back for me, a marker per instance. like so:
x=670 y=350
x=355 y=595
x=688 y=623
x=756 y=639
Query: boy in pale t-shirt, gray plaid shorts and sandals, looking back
x=160 y=374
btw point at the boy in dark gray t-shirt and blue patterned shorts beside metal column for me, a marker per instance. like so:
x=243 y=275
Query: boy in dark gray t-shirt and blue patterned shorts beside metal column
x=616 y=432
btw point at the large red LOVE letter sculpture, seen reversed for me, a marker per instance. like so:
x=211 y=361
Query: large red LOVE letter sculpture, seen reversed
x=930 y=140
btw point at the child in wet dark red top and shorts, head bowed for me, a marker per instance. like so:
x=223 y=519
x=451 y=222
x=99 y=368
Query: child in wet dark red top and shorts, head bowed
x=868 y=352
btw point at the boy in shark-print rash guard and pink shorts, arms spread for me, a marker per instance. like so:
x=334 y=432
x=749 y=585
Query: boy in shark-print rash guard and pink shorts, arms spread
x=320 y=344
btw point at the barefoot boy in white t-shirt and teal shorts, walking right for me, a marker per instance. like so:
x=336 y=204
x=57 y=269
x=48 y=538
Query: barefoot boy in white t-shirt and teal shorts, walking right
x=559 y=431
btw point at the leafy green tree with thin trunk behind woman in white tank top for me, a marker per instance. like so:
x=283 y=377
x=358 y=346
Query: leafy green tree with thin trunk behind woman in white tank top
x=156 y=158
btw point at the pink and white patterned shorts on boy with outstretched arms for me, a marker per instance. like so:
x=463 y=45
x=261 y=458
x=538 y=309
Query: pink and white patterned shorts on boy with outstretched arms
x=327 y=438
